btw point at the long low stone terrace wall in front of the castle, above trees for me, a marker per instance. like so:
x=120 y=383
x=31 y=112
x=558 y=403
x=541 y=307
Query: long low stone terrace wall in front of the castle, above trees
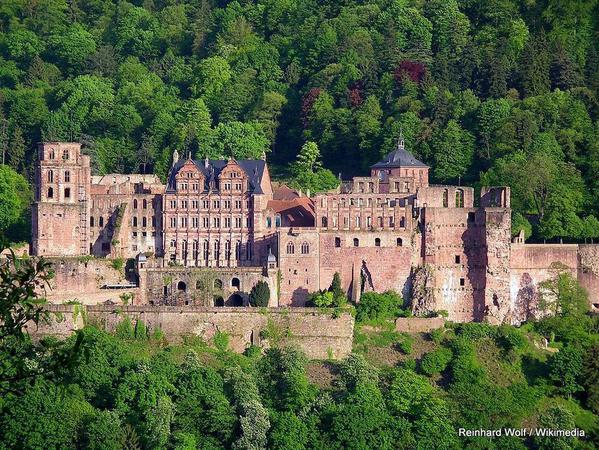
x=316 y=333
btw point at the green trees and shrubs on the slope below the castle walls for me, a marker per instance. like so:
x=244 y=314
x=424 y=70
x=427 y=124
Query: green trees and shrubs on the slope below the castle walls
x=133 y=389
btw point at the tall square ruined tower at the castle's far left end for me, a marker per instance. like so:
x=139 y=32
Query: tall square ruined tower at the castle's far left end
x=60 y=211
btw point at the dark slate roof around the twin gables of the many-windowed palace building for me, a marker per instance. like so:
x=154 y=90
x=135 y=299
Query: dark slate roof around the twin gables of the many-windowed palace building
x=253 y=168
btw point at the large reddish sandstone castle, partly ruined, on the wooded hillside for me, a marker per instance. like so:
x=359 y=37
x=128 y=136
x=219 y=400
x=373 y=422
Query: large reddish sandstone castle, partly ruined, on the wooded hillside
x=226 y=220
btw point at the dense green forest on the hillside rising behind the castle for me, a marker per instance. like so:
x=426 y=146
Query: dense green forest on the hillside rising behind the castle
x=494 y=92
